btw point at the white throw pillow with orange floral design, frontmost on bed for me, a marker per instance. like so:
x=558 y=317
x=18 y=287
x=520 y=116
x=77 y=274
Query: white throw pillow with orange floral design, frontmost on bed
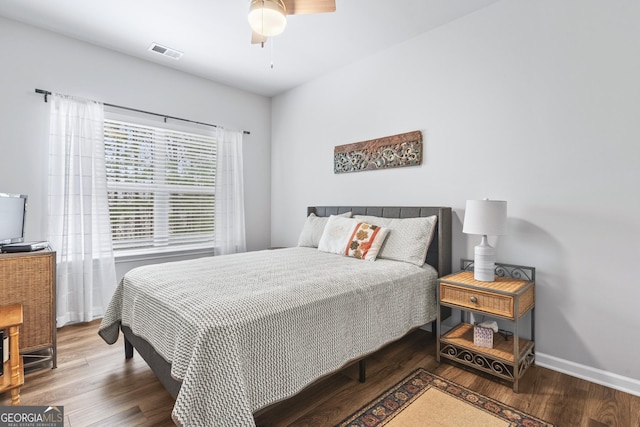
x=347 y=236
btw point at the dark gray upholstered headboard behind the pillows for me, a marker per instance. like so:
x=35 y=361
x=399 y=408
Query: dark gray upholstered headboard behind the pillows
x=439 y=254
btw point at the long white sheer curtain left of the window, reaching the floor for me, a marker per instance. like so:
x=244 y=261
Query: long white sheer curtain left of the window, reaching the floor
x=79 y=229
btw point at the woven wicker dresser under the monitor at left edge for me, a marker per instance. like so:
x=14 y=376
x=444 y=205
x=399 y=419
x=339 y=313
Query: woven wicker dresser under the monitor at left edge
x=28 y=278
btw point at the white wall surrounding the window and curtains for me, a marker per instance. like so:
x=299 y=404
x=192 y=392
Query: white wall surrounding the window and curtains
x=34 y=58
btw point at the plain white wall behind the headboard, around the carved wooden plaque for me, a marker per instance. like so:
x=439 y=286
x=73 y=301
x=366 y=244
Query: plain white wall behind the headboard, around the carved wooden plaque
x=536 y=103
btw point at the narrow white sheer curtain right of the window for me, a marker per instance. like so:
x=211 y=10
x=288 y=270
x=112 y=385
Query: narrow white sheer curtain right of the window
x=229 y=221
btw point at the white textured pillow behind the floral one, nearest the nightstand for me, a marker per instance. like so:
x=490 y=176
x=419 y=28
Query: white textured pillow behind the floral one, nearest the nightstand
x=409 y=238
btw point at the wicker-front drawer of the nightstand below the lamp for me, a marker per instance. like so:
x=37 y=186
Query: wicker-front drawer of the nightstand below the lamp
x=501 y=305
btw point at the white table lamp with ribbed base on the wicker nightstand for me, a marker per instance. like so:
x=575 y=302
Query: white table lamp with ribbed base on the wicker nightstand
x=486 y=218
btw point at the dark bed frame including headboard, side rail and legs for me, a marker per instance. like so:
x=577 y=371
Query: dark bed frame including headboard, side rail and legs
x=438 y=256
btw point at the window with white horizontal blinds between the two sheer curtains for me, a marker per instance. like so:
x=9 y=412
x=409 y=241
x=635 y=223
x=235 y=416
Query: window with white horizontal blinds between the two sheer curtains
x=161 y=188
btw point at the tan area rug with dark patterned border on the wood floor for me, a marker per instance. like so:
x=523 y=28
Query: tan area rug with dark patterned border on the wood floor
x=424 y=399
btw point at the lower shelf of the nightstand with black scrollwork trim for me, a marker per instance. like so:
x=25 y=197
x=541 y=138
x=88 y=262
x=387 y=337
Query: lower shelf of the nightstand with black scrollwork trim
x=457 y=345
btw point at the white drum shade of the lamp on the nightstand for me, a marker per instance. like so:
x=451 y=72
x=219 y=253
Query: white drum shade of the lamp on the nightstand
x=485 y=217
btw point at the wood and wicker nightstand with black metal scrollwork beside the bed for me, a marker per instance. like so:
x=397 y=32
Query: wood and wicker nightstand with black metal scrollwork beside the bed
x=509 y=297
